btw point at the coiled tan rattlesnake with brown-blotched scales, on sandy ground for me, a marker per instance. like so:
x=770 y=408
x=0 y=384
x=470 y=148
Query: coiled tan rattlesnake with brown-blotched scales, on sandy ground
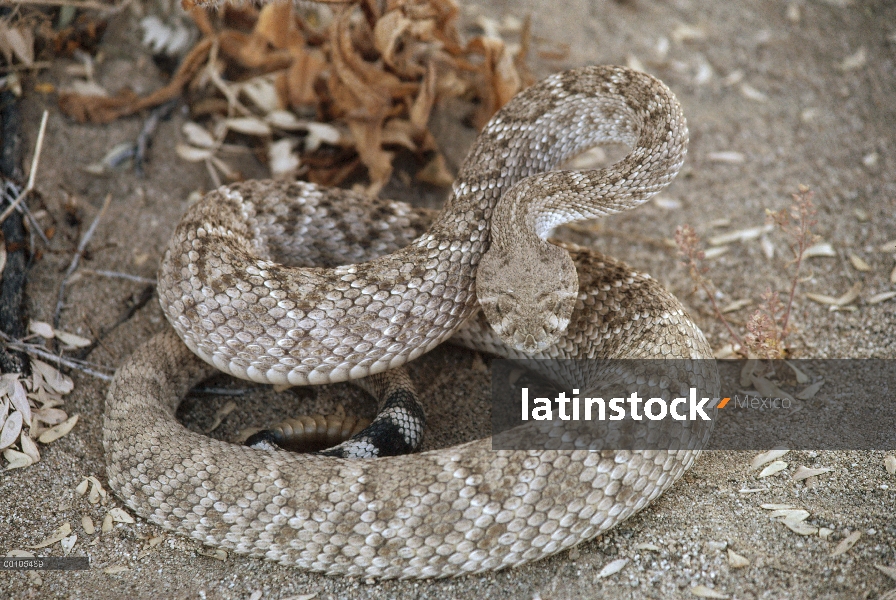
x=440 y=513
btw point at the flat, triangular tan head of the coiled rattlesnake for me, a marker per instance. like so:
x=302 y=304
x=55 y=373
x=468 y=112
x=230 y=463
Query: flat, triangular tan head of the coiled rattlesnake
x=528 y=294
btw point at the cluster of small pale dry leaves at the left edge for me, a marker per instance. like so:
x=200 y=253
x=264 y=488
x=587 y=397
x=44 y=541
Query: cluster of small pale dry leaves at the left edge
x=29 y=411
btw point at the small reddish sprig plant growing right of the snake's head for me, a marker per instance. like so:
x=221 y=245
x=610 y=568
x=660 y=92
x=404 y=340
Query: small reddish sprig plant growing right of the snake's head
x=769 y=325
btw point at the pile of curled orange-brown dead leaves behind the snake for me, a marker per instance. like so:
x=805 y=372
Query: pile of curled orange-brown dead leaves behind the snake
x=369 y=72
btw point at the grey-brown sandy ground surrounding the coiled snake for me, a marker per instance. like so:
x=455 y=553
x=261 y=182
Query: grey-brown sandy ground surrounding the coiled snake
x=764 y=79
